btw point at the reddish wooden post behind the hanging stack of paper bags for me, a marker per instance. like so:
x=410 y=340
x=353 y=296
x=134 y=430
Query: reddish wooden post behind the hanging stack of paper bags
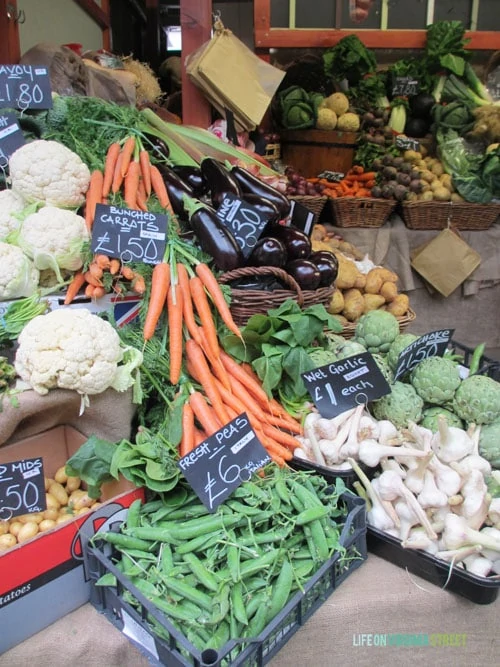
x=196 y=27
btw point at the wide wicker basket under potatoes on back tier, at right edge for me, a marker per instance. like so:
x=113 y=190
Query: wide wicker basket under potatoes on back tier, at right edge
x=438 y=215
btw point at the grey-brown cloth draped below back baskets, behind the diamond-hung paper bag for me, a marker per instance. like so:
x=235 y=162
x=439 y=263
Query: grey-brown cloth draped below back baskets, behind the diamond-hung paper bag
x=472 y=309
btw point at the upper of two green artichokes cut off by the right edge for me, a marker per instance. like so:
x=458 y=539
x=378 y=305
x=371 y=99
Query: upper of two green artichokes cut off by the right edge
x=477 y=400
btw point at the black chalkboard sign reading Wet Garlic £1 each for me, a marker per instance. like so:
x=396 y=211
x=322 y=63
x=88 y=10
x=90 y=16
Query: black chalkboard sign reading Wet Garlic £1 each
x=341 y=385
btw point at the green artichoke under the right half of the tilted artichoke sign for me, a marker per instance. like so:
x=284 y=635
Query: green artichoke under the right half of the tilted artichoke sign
x=436 y=379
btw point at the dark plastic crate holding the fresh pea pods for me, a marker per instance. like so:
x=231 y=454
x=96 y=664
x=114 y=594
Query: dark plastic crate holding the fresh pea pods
x=177 y=651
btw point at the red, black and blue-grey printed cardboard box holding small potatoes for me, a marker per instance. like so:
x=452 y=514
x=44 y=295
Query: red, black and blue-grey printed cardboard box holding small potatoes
x=45 y=578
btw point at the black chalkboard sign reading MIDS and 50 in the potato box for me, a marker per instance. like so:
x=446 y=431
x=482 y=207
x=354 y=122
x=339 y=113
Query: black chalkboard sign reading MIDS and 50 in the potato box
x=22 y=488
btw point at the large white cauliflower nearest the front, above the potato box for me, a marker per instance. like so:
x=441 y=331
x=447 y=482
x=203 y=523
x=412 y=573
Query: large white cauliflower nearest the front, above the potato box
x=72 y=348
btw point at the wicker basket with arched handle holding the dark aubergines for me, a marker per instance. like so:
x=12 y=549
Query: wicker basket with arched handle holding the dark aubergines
x=245 y=303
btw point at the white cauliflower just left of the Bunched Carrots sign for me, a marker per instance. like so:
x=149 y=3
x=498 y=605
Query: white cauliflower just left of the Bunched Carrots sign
x=53 y=238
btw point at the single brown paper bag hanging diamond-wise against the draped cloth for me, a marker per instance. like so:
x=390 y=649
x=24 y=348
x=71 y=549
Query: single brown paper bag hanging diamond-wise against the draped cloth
x=445 y=261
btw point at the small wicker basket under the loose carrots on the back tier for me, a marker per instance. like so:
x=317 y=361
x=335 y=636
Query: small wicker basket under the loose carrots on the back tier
x=361 y=211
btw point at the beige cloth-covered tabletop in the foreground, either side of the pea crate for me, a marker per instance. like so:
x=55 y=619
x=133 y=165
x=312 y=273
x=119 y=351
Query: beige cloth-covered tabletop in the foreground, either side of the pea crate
x=379 y=603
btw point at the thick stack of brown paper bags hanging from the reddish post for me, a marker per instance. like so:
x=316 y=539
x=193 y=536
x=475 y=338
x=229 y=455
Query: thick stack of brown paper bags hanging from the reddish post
x=234 y=78
